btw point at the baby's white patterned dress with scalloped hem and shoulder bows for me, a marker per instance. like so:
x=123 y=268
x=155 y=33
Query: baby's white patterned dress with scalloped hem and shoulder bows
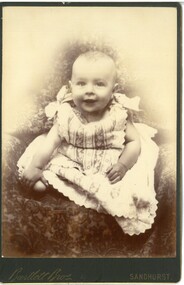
x=77 y=168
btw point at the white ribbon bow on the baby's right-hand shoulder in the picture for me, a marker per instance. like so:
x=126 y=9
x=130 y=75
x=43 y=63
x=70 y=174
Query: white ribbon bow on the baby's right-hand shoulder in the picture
x=126 y=102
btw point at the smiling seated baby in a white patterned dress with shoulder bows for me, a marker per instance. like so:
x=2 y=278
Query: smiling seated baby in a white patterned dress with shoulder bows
x=94 y=154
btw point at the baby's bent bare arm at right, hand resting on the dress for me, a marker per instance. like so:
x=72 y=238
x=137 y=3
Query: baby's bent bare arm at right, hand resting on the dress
x=128 y=157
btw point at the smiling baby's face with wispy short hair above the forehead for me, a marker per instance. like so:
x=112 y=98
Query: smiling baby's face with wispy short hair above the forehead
x=92 y=84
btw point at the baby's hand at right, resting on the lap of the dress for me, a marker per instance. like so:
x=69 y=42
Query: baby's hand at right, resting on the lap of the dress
x=116 y=172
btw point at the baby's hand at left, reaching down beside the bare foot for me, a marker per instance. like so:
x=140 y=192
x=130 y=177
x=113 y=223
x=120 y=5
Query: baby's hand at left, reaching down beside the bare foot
x=31 y=175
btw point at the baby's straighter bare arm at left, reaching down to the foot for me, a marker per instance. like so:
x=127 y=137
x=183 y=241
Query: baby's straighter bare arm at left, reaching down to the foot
x=33 y=172
